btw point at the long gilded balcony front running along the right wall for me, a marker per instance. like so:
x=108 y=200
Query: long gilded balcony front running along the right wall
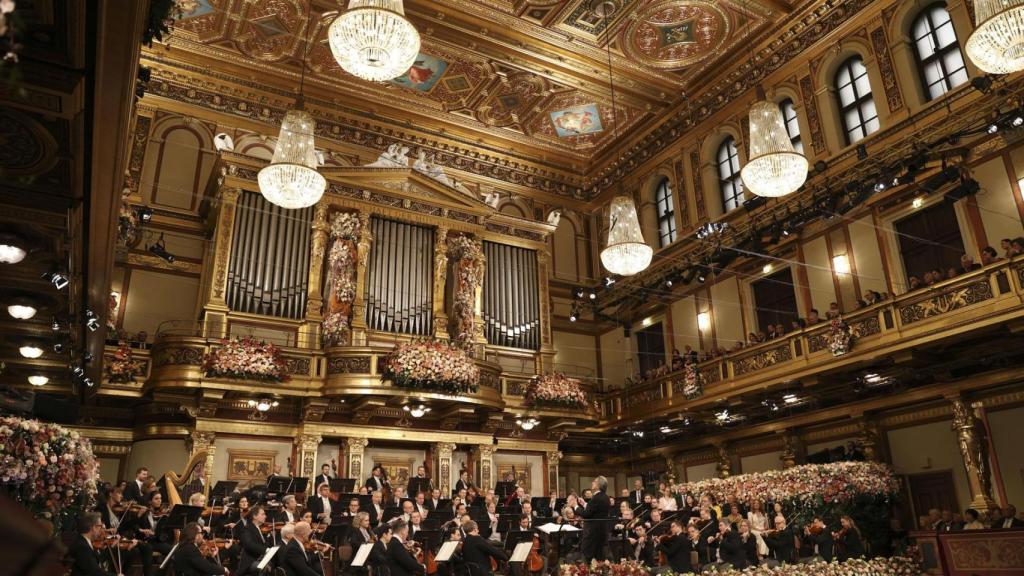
x=973 y=302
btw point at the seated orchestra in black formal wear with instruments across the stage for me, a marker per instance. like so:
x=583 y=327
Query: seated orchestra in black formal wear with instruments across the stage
x=319 y=533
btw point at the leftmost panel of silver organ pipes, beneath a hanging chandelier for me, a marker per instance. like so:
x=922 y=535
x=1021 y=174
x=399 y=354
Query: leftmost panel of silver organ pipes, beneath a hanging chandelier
x=269 y=273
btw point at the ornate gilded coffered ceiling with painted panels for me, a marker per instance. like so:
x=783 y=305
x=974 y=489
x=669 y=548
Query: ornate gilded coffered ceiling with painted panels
x=525 y=75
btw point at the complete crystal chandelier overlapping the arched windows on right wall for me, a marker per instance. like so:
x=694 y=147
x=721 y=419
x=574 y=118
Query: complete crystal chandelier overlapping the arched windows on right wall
x=775 y=169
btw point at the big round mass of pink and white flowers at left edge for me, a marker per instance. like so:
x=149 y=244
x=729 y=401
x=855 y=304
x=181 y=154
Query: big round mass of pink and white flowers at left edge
x=48 y=469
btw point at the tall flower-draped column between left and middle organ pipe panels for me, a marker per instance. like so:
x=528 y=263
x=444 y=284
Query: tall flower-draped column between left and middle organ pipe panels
x=342 y=279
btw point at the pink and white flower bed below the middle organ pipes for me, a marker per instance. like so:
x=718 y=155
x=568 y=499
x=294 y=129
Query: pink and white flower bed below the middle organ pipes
x=432 y=366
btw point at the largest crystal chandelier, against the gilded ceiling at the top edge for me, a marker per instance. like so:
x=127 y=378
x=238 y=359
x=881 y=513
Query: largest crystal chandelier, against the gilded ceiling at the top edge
x=374 y=40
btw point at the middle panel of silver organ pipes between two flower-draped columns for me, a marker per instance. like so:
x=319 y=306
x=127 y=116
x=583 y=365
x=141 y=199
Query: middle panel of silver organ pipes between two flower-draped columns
x=400 y=282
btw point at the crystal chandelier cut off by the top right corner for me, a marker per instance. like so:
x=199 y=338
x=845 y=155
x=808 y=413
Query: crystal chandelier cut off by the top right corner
x=997 y=46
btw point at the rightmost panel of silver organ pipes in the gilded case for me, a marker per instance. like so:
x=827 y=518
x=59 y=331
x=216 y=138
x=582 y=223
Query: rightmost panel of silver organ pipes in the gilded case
x=511 y=298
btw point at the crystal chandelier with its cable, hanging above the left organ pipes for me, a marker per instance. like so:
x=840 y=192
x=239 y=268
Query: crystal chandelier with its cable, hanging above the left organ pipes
x=291 y=181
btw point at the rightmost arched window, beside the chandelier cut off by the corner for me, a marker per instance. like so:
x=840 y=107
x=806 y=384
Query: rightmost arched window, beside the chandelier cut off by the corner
x=940 y=58
